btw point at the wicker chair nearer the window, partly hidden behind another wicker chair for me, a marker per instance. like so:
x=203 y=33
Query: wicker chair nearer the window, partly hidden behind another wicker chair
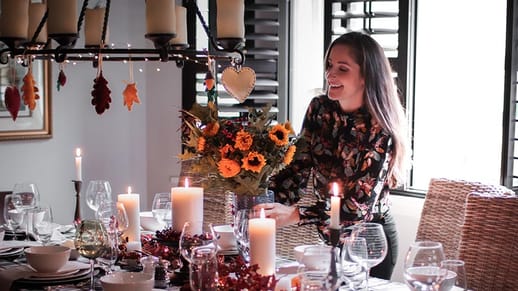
x=443 y=211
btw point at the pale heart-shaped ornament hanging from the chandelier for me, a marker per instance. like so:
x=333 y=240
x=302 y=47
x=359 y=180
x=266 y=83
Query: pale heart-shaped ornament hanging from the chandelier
x=238 y=83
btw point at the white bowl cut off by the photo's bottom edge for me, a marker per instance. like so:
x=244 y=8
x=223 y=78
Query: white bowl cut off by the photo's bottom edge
x=125 y=281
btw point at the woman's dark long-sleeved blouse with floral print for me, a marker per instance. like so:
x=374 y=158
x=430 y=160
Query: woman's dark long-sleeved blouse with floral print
x=335 y=146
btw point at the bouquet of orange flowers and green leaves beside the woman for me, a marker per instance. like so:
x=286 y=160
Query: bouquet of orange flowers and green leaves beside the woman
x=238 y=154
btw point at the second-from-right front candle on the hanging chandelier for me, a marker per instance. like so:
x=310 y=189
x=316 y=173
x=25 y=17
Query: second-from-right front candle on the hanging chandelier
x=160 y=16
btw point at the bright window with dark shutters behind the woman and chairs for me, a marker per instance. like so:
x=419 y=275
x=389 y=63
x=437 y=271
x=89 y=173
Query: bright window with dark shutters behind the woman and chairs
x=451 y=76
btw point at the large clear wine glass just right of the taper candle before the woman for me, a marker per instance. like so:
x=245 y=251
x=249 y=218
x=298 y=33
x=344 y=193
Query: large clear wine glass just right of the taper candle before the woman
x=376 y=243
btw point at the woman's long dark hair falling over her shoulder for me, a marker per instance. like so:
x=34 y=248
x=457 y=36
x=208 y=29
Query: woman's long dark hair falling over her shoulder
x=381 y=97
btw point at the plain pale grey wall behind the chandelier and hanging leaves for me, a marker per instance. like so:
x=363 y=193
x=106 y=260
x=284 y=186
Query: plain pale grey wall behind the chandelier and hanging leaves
x=134 y=148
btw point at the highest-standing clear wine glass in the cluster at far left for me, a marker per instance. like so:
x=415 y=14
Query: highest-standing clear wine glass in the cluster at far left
x=25 y=196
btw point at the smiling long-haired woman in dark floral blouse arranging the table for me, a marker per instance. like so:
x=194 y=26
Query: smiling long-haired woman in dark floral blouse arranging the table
x=353 y=135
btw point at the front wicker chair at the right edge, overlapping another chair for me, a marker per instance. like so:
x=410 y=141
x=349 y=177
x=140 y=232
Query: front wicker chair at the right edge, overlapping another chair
x=489 y=242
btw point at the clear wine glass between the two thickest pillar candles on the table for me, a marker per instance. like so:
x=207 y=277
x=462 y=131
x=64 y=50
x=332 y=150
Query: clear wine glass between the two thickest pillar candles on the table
x=194 y=235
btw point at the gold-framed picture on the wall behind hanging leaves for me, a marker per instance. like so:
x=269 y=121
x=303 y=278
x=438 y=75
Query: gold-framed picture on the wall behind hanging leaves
x=34 y=124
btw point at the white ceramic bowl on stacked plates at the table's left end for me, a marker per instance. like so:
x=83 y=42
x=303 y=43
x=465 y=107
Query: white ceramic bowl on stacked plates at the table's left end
x=47 y=259
